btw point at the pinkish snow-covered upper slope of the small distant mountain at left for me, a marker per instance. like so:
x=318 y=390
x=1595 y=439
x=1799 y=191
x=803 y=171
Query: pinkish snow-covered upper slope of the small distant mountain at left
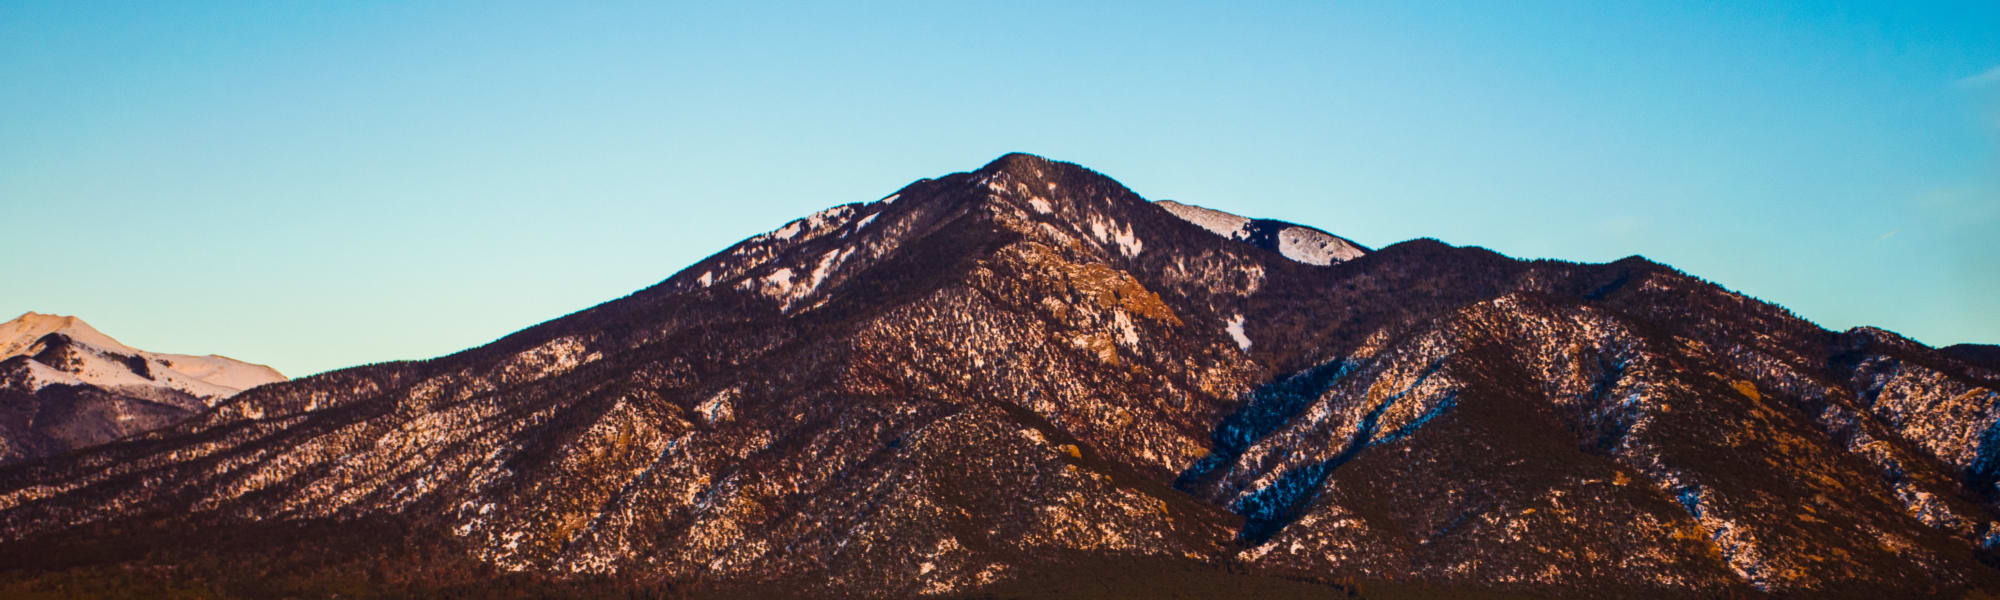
x=69 y=351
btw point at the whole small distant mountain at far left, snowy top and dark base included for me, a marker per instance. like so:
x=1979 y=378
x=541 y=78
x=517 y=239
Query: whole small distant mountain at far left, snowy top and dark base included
x=65 y=385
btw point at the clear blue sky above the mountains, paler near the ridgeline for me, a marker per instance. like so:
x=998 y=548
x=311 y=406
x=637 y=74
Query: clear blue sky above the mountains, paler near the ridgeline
x=319 y=185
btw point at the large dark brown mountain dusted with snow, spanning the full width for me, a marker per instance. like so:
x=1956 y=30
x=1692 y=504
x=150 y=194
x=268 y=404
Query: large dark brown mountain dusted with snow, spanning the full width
x=1027 y=381
